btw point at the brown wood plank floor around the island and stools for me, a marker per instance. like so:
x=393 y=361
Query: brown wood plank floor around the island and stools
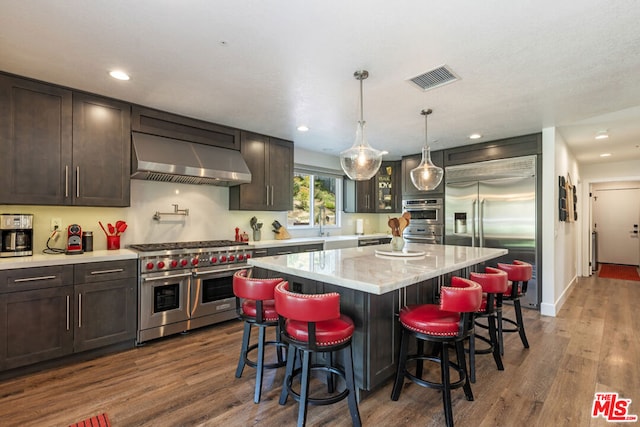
x=592 y=345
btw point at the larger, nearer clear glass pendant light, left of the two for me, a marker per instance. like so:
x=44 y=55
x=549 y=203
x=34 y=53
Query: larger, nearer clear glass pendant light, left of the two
x=361 y=162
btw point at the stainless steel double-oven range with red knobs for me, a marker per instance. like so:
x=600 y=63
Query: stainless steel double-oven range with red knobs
x=186 y=285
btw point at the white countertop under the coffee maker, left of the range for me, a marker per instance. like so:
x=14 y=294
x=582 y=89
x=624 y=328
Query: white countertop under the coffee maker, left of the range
x=44 y=260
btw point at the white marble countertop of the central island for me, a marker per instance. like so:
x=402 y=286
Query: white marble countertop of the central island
x=364 y=270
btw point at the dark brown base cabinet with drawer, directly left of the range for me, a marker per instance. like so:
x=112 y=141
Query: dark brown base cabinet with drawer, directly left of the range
x=105 y=299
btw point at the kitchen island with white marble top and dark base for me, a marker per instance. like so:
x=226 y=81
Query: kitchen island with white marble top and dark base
x=373 y=286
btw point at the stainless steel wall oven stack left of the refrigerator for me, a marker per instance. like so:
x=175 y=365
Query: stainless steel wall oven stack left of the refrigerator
x=427 y=220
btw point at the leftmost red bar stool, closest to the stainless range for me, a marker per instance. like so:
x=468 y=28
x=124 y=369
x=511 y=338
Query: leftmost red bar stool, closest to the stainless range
x=255 y=305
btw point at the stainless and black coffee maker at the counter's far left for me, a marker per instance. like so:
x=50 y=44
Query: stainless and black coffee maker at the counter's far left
x=17 y=235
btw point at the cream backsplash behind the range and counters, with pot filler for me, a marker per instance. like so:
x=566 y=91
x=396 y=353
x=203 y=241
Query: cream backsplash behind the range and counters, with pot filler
x=209 y=217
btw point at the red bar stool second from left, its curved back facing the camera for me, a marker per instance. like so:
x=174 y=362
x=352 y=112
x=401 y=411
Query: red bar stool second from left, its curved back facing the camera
x=313 y=324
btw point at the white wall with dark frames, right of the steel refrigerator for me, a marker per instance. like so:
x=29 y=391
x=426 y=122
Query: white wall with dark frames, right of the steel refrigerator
x=560 y=240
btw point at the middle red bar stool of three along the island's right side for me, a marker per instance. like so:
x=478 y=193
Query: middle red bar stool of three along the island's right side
x=494 y=284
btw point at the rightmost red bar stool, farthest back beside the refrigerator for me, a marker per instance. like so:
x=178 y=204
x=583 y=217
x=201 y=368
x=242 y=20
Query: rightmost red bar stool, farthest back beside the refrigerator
x=519 y=273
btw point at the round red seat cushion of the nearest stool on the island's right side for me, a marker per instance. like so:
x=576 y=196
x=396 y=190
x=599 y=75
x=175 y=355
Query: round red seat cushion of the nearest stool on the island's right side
x=429 y=319
